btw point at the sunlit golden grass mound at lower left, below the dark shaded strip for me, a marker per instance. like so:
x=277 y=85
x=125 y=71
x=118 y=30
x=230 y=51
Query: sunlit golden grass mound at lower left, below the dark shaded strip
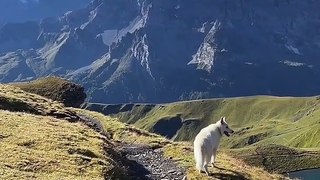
x=39 y=147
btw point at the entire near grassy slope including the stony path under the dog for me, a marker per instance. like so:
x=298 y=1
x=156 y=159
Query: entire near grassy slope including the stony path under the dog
x=42 y=139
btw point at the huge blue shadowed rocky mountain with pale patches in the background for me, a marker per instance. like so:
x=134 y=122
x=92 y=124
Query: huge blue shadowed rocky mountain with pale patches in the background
x=159 y=51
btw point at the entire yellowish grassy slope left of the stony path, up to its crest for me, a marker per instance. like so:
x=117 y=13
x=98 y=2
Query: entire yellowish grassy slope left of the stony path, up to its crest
x=39 y=141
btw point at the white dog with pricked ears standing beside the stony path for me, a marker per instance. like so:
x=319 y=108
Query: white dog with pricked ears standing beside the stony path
x=206 y=143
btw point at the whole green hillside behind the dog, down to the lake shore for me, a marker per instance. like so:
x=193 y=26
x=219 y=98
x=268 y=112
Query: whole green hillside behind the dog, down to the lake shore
x=279 y=133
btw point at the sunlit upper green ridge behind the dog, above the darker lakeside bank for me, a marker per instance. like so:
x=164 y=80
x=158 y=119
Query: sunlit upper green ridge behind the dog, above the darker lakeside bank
x=257 y=120
